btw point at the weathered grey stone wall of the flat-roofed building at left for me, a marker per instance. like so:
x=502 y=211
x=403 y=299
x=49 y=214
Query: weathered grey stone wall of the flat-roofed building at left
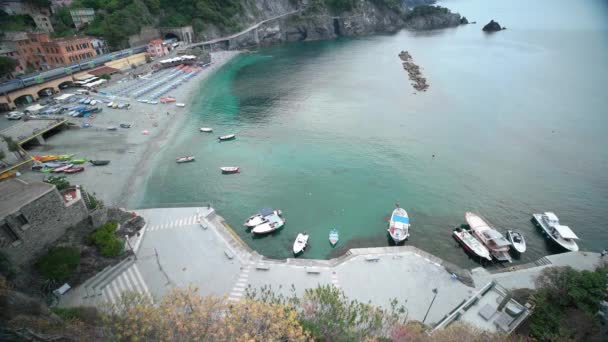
x=47 y=220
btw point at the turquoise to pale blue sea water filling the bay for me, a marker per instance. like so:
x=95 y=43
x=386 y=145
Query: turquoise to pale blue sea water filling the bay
x=332 y=133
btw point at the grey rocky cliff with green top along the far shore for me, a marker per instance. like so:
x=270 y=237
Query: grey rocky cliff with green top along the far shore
x=317 y=20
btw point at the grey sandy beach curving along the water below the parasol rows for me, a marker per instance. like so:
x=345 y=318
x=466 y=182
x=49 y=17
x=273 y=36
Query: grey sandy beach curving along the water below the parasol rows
x=129 y=150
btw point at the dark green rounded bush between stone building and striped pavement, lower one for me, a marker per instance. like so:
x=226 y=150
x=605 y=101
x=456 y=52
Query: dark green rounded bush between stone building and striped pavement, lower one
x=59 y=263
